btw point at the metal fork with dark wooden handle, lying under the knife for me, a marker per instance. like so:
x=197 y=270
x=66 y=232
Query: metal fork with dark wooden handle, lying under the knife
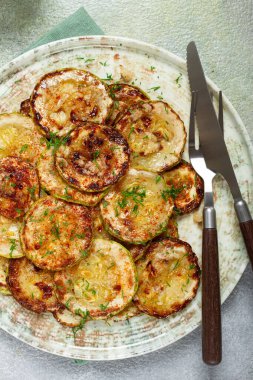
x=211 y=313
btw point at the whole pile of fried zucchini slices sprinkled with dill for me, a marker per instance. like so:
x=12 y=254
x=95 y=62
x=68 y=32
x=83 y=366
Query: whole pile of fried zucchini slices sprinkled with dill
x=92 y=182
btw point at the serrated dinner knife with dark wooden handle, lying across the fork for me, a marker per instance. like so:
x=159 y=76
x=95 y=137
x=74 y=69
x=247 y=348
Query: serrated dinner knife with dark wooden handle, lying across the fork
x=213 y=145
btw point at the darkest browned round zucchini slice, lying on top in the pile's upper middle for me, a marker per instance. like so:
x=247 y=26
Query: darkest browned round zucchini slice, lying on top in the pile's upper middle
x=93 y=158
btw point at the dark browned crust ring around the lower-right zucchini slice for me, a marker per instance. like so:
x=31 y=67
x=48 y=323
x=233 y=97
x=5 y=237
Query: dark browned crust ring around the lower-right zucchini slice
x=143 y=263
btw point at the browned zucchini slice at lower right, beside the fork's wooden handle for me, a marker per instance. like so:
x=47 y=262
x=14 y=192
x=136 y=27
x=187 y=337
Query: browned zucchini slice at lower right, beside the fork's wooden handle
x=168 y=278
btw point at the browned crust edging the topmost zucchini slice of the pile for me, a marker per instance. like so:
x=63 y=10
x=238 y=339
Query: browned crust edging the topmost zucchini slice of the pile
x=74 y=118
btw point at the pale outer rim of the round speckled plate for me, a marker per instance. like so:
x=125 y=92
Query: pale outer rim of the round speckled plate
x=9 y=68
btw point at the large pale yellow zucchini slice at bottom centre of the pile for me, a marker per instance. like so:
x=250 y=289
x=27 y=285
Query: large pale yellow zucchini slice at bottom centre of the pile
x=101 y=285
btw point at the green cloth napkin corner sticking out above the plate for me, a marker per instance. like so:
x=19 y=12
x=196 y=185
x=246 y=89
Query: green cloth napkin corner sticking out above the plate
x=78 y=24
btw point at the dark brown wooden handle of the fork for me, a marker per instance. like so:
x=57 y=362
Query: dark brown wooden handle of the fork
x=211 y=306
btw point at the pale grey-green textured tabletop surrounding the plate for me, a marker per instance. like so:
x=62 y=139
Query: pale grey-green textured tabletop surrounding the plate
x=223 y=31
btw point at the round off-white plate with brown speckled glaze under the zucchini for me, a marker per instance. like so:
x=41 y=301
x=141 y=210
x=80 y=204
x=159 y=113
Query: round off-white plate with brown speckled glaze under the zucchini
x=160 y=74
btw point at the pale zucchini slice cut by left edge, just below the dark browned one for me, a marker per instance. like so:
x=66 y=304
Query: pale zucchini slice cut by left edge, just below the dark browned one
x=9 y=238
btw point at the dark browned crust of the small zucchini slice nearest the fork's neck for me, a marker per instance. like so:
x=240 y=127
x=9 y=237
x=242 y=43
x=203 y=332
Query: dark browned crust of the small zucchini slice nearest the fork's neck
x=184 y=203
